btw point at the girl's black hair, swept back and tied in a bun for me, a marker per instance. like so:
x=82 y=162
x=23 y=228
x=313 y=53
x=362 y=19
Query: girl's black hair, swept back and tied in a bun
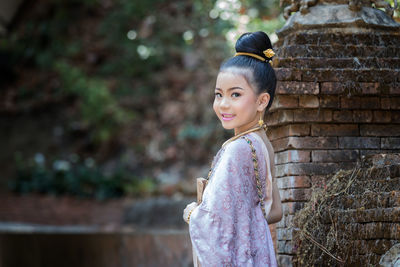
x=257 y=73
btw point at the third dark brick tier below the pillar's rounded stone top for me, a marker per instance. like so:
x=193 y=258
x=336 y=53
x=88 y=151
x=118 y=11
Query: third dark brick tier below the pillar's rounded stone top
x=340 y=63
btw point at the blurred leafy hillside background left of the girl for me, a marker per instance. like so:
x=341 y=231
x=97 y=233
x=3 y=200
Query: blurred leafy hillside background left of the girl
x=104 y=98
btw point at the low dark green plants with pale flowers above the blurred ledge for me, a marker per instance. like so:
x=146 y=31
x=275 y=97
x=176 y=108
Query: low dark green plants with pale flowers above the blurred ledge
x=77 y=178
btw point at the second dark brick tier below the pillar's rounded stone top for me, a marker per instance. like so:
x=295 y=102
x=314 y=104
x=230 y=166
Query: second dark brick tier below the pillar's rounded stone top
x=338 y=51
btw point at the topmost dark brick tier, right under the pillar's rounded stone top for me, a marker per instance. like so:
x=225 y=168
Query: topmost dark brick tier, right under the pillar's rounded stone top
x=348 y=39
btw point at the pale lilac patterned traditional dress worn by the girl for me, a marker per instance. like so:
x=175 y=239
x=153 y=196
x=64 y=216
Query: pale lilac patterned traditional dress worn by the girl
x=228 y=227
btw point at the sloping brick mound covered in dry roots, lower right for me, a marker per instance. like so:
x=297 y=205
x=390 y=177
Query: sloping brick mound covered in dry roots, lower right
x=360 y=218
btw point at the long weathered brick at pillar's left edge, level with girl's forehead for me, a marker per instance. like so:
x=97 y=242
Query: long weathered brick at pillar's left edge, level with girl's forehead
x=300 y=88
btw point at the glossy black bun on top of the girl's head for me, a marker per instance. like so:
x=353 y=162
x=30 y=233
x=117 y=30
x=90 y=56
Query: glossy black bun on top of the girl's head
x=254 y=42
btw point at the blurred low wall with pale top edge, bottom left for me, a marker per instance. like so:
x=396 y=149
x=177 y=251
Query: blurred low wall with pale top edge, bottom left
x=38 y=246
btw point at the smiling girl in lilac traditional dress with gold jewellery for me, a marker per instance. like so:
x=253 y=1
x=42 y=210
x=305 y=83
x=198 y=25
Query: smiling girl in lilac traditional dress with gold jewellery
x=230 y=226
